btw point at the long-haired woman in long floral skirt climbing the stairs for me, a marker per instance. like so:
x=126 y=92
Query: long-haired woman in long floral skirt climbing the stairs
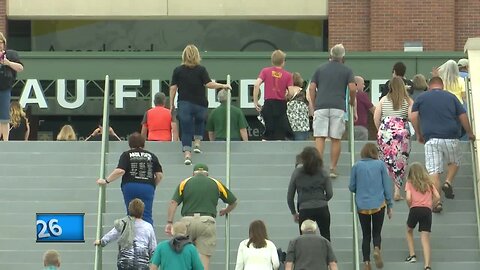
x=393 y=138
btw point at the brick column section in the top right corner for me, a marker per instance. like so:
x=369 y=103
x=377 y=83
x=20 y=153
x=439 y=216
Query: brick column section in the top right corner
x=467 y=21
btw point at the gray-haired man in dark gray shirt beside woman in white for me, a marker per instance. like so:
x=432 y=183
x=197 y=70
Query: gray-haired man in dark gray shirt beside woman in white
x=310 y=251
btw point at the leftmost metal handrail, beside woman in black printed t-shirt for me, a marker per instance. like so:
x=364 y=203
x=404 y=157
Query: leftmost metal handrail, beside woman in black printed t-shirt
x=102 y=188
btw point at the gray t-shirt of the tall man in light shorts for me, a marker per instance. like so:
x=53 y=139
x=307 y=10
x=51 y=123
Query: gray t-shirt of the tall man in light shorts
x=332 y=80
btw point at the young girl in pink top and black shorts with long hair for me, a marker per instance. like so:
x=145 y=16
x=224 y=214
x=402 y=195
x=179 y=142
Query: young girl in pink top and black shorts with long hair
x=421 y=196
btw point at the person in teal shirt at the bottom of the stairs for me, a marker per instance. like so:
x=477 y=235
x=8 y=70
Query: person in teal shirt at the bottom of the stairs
x=177 y=253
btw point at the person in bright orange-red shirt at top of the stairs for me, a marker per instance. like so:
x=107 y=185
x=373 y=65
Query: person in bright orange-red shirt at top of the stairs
x=158 y=123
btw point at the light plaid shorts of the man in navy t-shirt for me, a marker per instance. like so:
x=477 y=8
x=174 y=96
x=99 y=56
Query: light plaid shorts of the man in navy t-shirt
x=436 y=150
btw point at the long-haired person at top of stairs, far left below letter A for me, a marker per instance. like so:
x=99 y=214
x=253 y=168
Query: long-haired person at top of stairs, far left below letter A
x=19 y=125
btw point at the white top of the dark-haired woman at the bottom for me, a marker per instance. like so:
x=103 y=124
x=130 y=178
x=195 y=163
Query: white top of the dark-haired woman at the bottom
x=250 y=258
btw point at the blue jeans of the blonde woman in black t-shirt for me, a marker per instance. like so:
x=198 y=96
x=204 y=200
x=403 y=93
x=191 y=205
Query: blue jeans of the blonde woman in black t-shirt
x=192 y=119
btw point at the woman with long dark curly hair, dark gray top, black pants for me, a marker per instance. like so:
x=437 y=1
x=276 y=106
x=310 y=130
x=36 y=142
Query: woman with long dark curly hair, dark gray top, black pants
x=314 y=190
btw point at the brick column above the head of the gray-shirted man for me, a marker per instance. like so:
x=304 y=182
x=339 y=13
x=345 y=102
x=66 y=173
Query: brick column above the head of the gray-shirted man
x=349 y=23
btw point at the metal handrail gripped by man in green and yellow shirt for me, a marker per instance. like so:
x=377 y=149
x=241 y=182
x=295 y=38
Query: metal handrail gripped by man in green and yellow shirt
x=227 y=176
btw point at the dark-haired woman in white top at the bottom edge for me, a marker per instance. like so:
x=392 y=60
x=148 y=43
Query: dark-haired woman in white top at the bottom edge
x=257 y=252
